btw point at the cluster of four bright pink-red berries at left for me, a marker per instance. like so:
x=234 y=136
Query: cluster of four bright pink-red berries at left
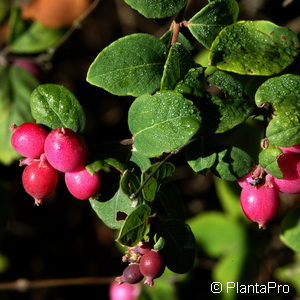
x=46 y=154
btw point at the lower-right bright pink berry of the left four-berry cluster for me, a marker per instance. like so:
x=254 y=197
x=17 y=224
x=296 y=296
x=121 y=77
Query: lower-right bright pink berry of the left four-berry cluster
x=81 y=184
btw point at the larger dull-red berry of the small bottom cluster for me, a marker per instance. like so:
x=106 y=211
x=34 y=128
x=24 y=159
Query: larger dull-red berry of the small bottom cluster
x=152 y=265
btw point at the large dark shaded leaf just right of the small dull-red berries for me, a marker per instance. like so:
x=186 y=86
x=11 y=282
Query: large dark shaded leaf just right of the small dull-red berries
x=179 y=243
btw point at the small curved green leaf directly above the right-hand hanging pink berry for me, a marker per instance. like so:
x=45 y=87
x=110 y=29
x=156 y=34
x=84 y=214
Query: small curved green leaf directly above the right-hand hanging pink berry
x=268 y=160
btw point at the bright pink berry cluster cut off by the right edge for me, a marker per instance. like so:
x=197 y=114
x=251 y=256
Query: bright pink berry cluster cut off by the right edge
x=259 y=196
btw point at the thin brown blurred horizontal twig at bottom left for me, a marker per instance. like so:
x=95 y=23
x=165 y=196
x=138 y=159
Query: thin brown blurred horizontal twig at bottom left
x=25 y=284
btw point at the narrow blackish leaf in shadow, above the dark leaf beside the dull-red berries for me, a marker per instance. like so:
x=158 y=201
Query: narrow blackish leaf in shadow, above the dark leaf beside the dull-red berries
x=171 y=200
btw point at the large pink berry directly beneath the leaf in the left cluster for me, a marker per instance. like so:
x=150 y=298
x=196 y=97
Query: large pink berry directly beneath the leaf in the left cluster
x=65 y=150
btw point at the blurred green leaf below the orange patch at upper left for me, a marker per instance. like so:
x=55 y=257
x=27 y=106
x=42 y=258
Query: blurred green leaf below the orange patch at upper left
x=36 y=38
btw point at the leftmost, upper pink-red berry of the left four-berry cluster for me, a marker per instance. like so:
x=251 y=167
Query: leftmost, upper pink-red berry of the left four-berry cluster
x=28 y=139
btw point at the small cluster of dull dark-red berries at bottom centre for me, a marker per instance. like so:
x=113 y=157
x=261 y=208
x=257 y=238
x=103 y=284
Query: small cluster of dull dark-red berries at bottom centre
x=143 y=262
